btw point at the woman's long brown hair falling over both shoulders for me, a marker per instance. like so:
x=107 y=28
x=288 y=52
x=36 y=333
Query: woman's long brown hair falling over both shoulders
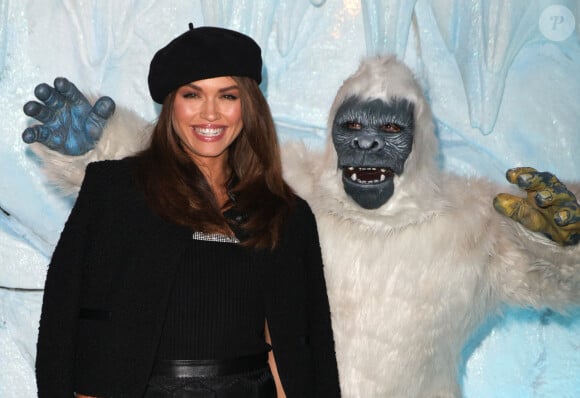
x=177 y=190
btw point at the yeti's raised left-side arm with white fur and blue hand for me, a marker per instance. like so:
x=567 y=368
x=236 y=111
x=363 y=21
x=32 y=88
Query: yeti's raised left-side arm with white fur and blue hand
x=73 y=132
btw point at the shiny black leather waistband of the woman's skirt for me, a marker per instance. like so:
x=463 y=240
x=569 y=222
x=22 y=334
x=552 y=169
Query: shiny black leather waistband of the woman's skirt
x=209 y=367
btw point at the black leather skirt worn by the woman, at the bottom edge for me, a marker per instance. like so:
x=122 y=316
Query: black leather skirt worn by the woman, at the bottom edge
x=247 y=377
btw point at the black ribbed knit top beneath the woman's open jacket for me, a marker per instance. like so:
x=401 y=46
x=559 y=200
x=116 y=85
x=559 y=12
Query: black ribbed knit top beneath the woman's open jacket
x=216 y=308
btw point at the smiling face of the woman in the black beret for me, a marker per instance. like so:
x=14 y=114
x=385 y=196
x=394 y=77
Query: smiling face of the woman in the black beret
x=207 y=116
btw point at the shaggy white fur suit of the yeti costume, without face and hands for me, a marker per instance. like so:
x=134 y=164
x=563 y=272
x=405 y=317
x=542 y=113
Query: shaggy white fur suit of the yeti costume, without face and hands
x=409 y=282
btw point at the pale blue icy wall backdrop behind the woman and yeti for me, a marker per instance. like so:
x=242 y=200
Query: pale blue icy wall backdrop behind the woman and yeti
x=503 y=79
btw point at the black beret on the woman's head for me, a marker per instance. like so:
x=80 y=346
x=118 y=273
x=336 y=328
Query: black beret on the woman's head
x=203 y=53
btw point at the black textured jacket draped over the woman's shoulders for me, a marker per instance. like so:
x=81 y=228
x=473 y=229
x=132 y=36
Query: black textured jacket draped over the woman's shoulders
x=109 y=281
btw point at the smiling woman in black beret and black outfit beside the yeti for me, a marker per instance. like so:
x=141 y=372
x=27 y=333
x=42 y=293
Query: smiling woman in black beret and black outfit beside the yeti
x=184 y=271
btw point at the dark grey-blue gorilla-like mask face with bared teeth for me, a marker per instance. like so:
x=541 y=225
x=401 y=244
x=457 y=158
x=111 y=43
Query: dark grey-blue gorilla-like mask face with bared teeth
x=372 y=139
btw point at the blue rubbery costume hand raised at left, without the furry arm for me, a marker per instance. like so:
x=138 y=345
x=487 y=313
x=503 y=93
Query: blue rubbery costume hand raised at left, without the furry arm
x=69 y=123
